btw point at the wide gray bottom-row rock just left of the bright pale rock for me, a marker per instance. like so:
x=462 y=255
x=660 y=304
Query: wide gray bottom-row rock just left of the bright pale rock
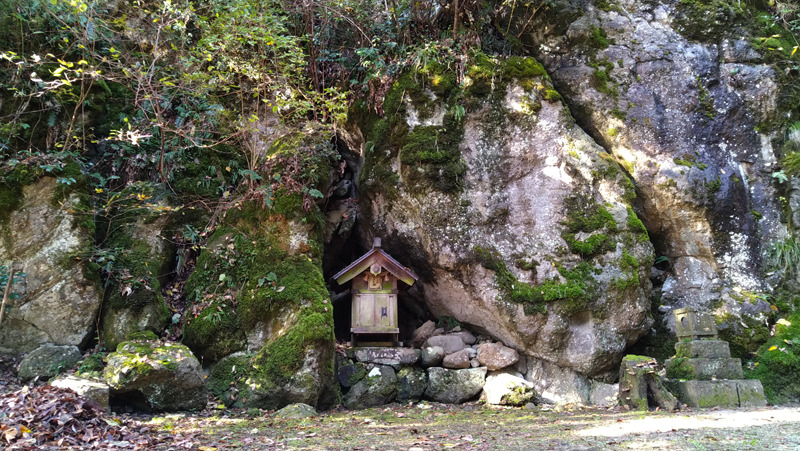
x=454 y=386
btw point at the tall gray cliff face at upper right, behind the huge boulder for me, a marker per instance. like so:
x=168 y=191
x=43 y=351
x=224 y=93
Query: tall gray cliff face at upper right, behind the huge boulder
x=682 y=101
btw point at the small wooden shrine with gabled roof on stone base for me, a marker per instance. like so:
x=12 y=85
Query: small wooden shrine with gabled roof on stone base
x=375 y=288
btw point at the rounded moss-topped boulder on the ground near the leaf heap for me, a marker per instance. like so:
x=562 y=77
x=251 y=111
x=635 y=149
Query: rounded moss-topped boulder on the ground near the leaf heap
x=166 y=374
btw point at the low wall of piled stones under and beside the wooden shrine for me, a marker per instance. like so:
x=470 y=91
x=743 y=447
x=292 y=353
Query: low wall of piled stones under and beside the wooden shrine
x=451 y=368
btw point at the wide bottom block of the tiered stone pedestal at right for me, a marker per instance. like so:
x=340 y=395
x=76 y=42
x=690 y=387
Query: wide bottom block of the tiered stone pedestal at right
x=721 y=393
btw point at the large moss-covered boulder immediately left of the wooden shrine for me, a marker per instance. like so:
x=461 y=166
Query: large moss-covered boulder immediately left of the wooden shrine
x=258 y=287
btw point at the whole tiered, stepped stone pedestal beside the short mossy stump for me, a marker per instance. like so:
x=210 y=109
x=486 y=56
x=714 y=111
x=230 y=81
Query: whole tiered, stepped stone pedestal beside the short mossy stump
x=703 y=373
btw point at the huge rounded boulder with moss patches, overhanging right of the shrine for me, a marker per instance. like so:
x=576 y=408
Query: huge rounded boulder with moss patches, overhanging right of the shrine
x=520 y=225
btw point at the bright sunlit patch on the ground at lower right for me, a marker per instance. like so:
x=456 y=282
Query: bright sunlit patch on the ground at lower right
x=717 y=420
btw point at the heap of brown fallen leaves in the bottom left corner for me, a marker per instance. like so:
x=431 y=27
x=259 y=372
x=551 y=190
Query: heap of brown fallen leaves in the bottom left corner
x=48 y=416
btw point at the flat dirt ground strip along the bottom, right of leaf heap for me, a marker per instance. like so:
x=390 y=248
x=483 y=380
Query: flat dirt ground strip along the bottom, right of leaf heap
x=426 y=426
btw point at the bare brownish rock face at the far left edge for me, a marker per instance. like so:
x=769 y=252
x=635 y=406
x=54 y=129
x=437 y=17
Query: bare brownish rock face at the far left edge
x=57 y=303
